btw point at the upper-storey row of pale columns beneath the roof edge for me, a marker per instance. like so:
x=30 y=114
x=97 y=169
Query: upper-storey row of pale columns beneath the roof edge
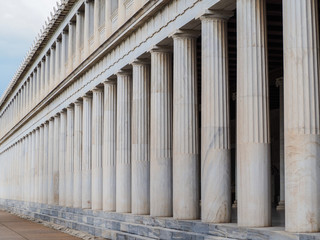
x=90 y=27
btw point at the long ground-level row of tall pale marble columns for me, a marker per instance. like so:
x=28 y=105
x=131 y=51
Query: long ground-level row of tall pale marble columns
x=132 y=144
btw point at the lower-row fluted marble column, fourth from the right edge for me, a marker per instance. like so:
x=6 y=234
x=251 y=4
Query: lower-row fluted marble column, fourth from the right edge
x=185 y=128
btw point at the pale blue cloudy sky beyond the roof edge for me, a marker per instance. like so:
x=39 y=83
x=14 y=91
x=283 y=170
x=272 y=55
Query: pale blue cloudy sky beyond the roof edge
x=20 y=23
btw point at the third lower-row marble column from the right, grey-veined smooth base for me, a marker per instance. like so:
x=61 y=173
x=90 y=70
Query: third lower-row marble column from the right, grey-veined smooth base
x=215 y=137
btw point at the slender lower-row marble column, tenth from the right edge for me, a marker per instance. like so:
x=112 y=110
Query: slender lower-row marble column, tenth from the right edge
x=86 y=151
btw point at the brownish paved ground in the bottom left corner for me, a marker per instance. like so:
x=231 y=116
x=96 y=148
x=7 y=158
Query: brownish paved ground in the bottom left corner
x=15 y=228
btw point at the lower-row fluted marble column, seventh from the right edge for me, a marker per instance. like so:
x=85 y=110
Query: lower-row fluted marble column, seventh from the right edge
x=123 y=166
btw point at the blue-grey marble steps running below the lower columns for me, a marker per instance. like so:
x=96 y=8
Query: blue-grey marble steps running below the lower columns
x=121 y=226
